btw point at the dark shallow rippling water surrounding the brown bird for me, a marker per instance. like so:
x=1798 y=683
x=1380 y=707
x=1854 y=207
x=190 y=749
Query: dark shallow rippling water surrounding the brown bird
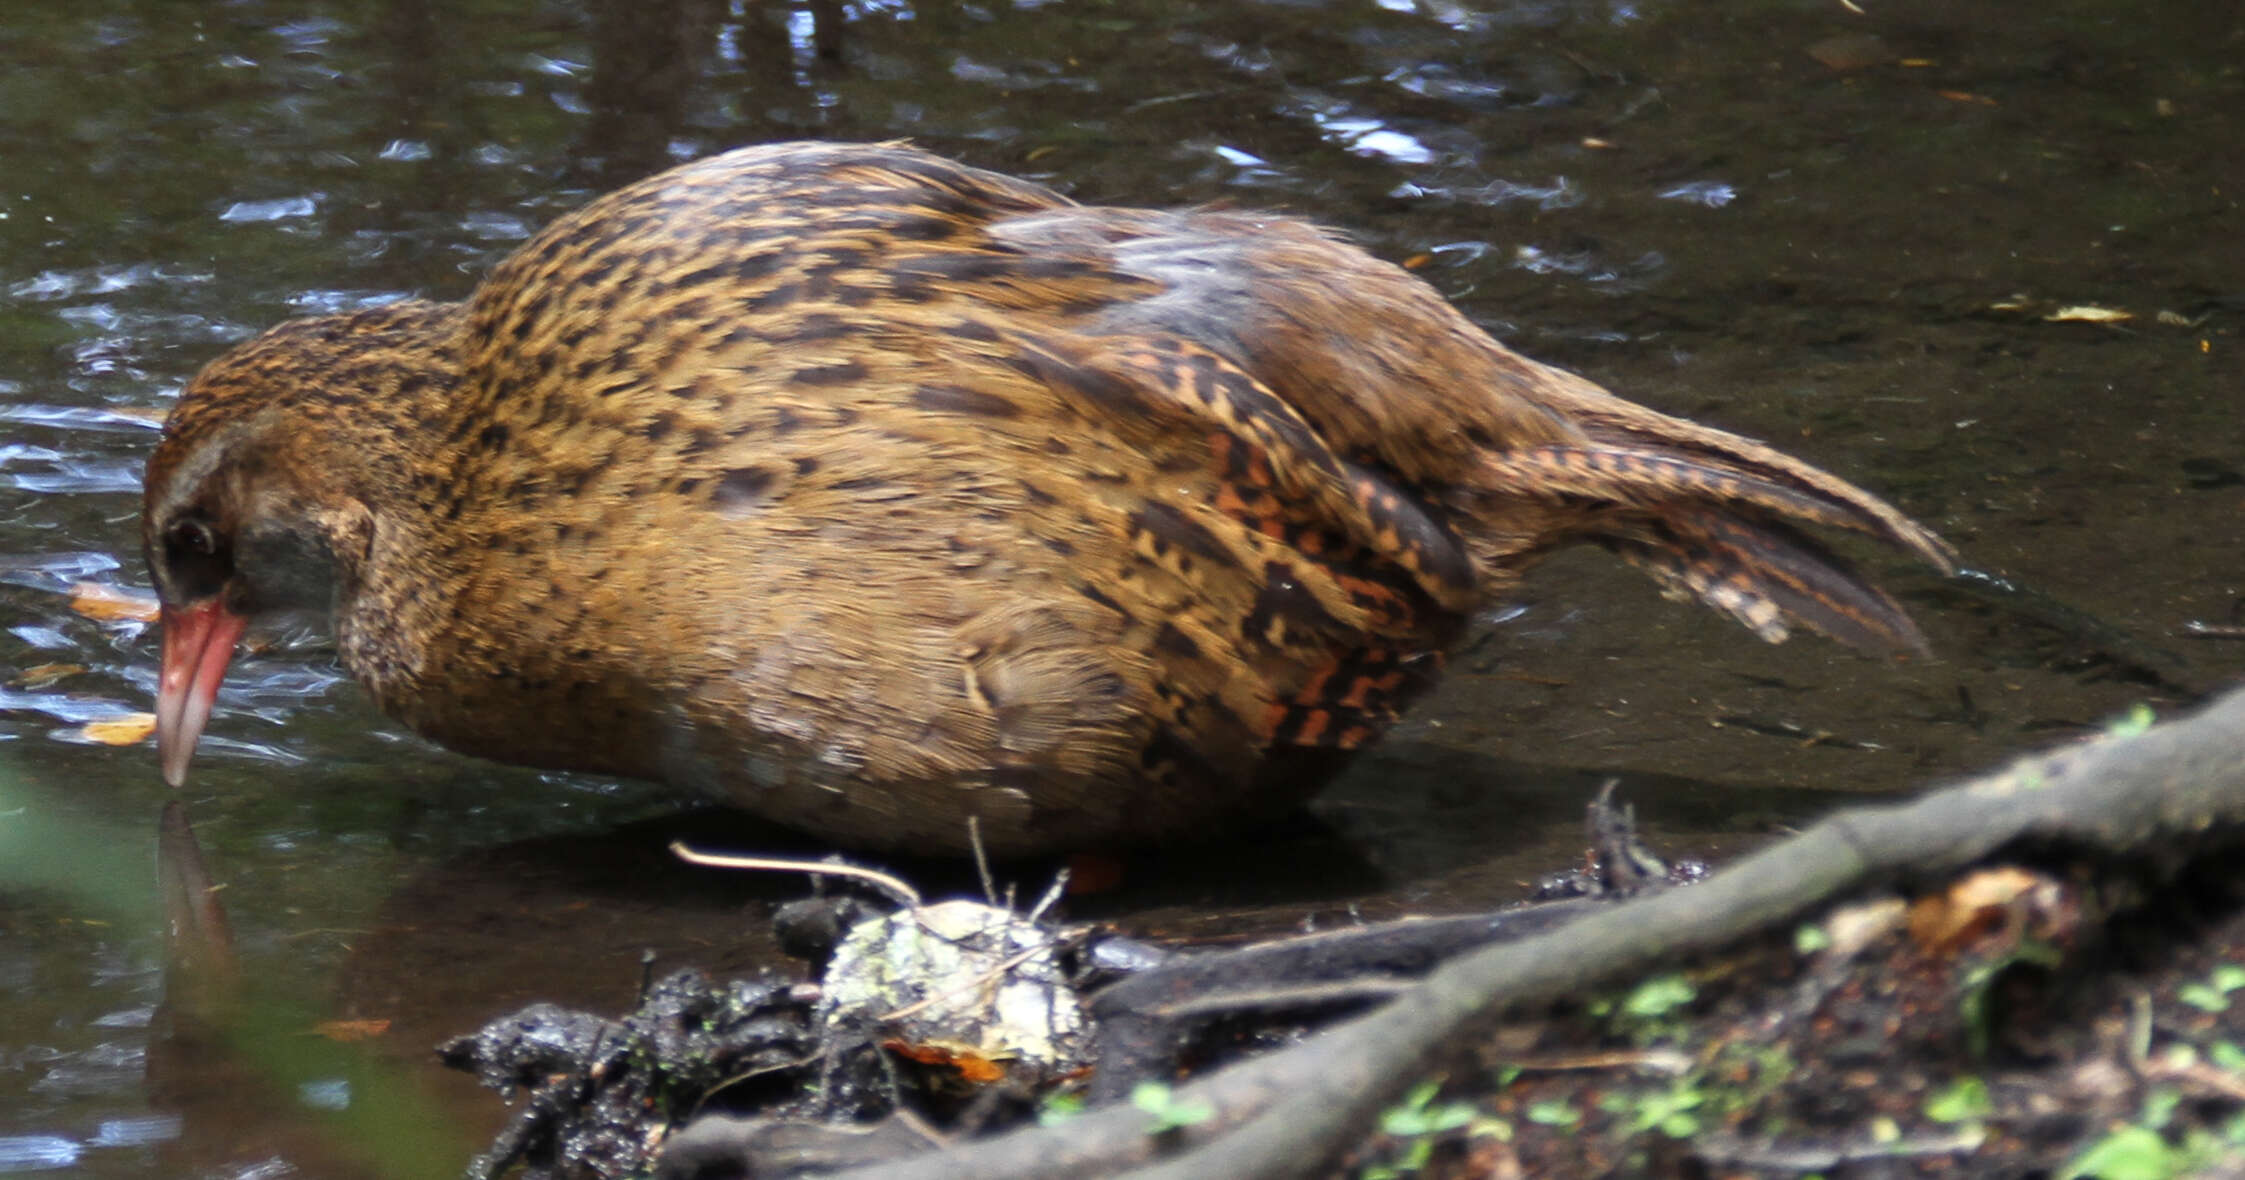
x=1748 y=214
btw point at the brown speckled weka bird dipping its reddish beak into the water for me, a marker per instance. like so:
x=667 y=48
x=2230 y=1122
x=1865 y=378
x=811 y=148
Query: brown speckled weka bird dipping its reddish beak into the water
x=874 y=492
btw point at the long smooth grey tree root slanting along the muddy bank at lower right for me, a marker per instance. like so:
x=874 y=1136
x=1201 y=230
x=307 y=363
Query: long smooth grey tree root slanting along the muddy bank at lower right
x=2147 y=800
